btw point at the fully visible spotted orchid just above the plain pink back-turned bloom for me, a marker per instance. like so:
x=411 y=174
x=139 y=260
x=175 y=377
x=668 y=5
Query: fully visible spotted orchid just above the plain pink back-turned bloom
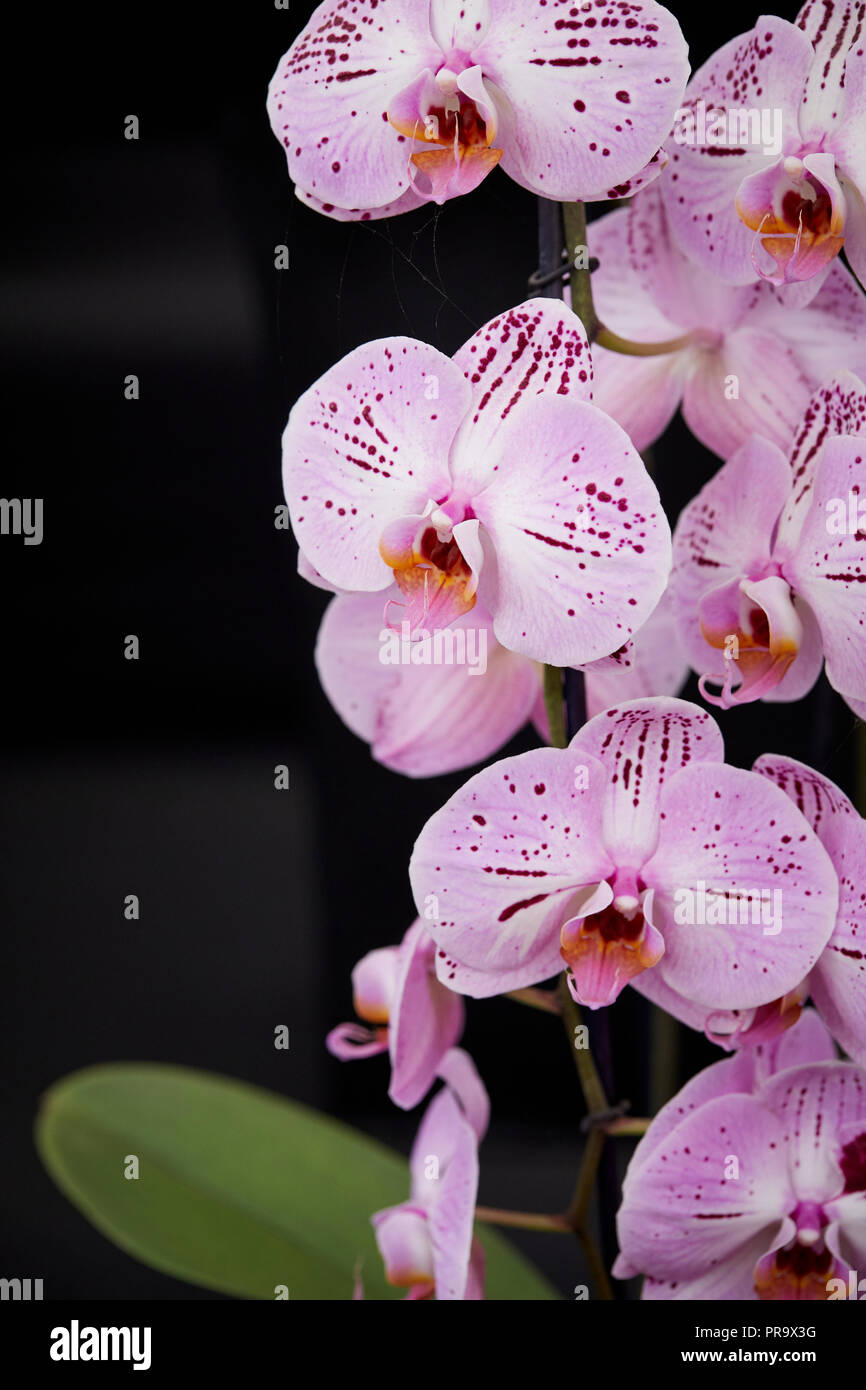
x=484 y=477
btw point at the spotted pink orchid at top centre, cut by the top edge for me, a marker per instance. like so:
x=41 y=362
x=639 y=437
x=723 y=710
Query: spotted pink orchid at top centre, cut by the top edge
x=386 y=105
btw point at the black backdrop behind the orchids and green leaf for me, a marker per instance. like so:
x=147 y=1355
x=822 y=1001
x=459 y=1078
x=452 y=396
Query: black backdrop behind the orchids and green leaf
x=156 y=776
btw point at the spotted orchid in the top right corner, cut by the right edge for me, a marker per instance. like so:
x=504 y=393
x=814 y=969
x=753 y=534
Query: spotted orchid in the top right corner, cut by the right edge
x=768 y=166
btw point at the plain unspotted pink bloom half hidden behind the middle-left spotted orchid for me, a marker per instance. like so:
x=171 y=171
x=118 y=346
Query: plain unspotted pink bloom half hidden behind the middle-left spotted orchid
x=441 y=703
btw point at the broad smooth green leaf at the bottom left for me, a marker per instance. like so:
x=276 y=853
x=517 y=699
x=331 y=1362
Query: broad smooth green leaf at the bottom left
x=238 y=1189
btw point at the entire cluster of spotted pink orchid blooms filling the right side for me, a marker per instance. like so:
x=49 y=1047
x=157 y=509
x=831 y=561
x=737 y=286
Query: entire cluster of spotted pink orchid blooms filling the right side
x=503 y=491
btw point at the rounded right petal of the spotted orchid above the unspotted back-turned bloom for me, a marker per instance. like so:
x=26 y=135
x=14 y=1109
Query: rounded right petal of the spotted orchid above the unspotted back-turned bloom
x=580 y=536
